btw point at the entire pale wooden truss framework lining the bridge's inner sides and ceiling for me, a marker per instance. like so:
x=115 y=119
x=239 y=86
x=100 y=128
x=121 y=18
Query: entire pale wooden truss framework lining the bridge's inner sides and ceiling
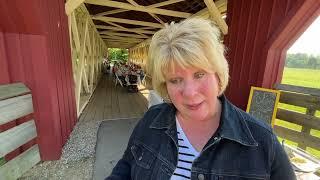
x=90 y=46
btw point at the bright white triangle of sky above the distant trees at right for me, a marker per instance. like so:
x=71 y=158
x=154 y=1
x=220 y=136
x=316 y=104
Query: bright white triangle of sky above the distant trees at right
x=309 y=41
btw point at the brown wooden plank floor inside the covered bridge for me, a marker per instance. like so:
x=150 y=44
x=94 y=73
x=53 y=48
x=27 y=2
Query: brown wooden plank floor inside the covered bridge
x=113 y=102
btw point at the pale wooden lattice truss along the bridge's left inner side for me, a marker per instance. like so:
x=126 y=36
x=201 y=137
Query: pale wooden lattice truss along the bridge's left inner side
x=88 y=51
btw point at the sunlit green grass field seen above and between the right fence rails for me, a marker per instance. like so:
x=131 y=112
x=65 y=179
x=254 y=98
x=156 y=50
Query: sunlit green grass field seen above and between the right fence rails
x=305 y=78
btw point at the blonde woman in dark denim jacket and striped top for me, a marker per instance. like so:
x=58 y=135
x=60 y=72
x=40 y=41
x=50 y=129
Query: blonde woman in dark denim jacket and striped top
x=198 y=134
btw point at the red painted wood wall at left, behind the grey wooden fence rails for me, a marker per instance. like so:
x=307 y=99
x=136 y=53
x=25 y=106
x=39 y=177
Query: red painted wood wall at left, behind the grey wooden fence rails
x=35 y=50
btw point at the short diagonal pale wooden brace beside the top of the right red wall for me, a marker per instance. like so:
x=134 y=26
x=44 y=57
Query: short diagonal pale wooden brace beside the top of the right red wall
x=216 y=16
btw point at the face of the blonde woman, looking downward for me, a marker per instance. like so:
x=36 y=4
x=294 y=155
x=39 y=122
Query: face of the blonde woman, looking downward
x=194 y=93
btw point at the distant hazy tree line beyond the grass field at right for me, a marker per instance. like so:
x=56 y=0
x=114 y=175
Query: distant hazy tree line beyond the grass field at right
x=302 y=60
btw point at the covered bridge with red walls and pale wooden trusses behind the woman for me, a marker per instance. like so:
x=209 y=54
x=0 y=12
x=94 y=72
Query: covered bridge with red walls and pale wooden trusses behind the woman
x=56 y=49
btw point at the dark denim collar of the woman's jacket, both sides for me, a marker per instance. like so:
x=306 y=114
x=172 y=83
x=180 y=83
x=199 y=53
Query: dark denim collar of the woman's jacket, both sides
x=232 y=126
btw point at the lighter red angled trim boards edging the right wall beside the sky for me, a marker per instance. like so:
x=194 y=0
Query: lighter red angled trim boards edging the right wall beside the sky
x=298 y=18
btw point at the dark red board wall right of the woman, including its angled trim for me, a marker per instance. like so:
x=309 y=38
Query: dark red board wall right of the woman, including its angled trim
x=260 y=32
